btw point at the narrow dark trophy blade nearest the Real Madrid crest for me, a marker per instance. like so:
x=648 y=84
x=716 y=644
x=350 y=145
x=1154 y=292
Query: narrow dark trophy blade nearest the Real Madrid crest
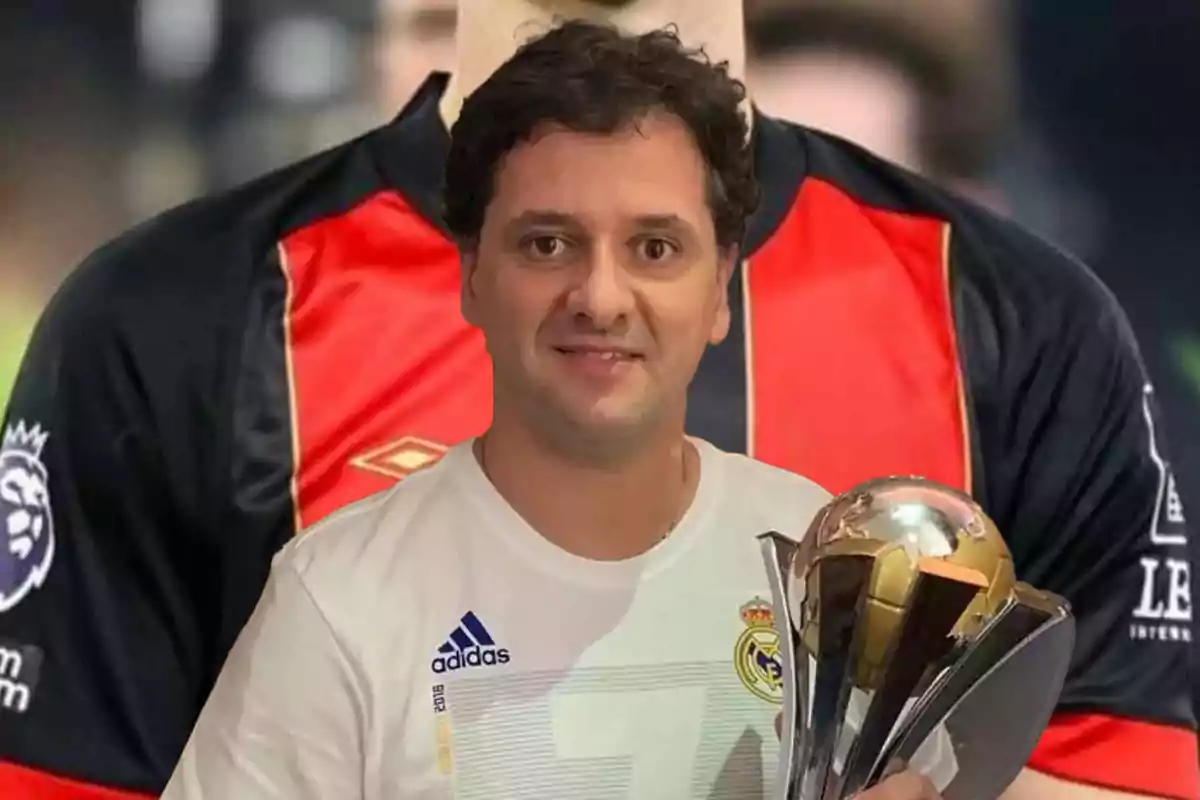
x=844 y=585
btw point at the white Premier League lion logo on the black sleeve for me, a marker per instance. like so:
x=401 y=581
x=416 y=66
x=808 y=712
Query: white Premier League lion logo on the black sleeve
x=27 y=548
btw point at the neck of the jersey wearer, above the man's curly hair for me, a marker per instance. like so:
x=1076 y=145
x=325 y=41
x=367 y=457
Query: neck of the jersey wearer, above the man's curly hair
x=490 y=33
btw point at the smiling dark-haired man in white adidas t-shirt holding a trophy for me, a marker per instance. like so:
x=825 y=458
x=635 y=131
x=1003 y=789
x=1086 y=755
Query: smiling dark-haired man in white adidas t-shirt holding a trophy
x=560 y=588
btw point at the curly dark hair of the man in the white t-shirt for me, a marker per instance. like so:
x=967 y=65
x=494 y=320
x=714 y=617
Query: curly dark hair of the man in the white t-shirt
x=592 y=79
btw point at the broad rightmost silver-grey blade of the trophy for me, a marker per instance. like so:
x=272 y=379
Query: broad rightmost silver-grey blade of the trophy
x=1016 y=665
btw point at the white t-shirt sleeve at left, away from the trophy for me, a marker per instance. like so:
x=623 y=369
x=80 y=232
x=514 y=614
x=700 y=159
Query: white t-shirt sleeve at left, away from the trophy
x=285 y=719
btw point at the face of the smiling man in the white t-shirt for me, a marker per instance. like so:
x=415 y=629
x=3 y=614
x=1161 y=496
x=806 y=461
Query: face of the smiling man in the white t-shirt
x=598 y=281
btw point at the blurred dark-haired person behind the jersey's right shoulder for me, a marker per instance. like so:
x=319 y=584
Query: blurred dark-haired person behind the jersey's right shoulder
x=922 y=85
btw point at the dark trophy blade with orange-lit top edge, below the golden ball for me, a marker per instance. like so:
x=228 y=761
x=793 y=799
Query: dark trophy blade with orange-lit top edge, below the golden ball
x=938 y=600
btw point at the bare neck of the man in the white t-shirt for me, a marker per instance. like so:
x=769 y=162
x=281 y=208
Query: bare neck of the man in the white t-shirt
x=605 y=513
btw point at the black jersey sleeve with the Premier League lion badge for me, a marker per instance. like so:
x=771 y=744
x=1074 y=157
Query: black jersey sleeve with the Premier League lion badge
x=103 y=490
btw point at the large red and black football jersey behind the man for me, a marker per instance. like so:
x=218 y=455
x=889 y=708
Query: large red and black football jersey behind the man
x=239 y=368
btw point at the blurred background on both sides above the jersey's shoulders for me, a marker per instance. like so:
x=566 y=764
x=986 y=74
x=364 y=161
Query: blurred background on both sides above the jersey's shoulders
x=1079 y=118
